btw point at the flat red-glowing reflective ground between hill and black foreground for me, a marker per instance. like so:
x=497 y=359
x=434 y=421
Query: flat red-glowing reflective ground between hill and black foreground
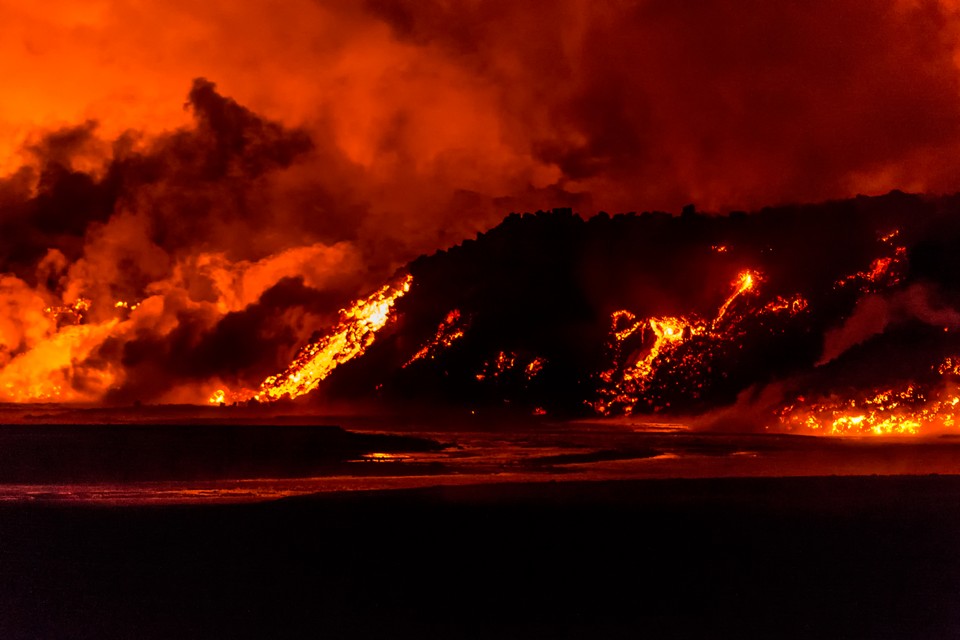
x=588 y=451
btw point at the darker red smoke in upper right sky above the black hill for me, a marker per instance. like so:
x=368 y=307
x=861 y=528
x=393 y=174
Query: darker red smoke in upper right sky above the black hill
x=664 y=102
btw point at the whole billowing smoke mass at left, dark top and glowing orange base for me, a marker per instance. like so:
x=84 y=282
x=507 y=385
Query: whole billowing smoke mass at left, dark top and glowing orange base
x=140 y=268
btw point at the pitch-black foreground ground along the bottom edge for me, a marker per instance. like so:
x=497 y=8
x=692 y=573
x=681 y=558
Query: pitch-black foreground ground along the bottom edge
x=828 y=557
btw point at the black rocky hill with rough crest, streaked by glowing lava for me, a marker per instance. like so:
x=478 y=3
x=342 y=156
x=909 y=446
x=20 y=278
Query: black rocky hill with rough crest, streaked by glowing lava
x=543 y=286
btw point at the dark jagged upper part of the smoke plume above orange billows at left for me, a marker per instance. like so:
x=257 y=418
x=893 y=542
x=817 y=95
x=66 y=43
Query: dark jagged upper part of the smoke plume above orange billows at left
x=189 y=186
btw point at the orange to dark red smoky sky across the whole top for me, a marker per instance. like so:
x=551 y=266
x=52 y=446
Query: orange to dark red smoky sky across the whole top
x=436 y=118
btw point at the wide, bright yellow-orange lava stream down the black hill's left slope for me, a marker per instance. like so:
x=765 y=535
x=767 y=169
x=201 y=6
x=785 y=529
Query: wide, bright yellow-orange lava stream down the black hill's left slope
x=355 y=332
